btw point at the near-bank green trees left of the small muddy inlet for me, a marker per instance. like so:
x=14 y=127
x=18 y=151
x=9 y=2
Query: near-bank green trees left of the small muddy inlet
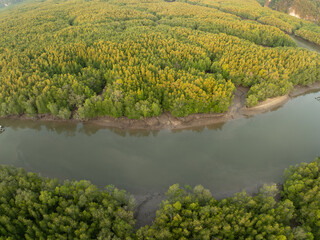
x=32 y=207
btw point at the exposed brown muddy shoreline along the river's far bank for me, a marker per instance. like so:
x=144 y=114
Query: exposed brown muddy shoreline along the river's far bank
x=167 y=121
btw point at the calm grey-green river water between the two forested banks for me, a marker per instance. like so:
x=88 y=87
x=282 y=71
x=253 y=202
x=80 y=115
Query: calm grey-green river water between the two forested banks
x=239 y=155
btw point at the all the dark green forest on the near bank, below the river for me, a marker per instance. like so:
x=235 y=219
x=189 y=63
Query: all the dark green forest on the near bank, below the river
x=33 y=207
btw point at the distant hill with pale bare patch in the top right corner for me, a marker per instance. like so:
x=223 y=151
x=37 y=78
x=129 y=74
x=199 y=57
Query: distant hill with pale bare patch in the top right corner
x=305 y=9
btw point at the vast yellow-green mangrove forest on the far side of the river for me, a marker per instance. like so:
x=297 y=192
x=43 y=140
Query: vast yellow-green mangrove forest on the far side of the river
x=86 y=59
